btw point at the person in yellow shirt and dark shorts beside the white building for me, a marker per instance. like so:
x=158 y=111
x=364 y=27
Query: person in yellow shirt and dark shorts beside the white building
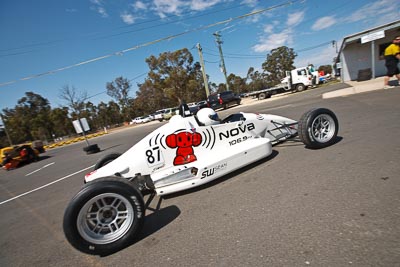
x=392 y=57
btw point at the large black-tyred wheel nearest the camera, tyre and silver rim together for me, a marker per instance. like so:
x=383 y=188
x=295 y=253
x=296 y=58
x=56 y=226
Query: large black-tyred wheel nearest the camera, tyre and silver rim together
x=104 y=217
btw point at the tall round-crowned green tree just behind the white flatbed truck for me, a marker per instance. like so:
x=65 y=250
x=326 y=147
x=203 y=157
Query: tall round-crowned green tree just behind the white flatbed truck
x=280 y=59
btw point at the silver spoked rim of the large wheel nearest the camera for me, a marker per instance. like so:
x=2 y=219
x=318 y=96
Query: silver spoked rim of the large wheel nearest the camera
x=105 y=218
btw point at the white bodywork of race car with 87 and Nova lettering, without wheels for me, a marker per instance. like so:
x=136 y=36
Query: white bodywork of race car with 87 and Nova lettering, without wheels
x=181 y=154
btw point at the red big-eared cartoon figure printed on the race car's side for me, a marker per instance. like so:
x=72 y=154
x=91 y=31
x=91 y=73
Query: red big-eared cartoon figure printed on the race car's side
x=185 y=142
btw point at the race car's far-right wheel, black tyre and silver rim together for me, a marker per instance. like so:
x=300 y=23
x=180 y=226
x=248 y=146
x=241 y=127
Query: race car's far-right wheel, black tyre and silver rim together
x=318 y=128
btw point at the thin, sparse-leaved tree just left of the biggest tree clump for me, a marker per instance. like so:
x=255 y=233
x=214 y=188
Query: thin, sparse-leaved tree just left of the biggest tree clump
x=119 y=90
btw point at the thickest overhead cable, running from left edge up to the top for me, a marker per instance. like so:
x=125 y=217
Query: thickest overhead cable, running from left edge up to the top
x=119 y=53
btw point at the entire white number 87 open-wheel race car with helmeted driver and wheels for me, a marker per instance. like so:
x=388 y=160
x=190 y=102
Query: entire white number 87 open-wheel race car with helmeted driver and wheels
x=109 y=211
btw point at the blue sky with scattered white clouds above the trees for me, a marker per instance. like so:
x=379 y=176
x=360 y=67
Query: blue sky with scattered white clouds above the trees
x=46 y=44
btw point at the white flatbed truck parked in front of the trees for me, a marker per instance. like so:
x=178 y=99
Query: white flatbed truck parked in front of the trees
x=296 y=80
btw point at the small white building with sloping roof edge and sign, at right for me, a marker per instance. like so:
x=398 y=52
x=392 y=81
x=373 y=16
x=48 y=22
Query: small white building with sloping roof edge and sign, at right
x=361 y=55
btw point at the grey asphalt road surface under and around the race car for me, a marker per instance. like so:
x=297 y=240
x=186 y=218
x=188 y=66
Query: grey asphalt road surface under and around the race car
x=339 y=206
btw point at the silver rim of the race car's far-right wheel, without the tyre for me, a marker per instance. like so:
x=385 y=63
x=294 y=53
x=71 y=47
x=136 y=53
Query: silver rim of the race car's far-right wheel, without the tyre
x=323 y=128
